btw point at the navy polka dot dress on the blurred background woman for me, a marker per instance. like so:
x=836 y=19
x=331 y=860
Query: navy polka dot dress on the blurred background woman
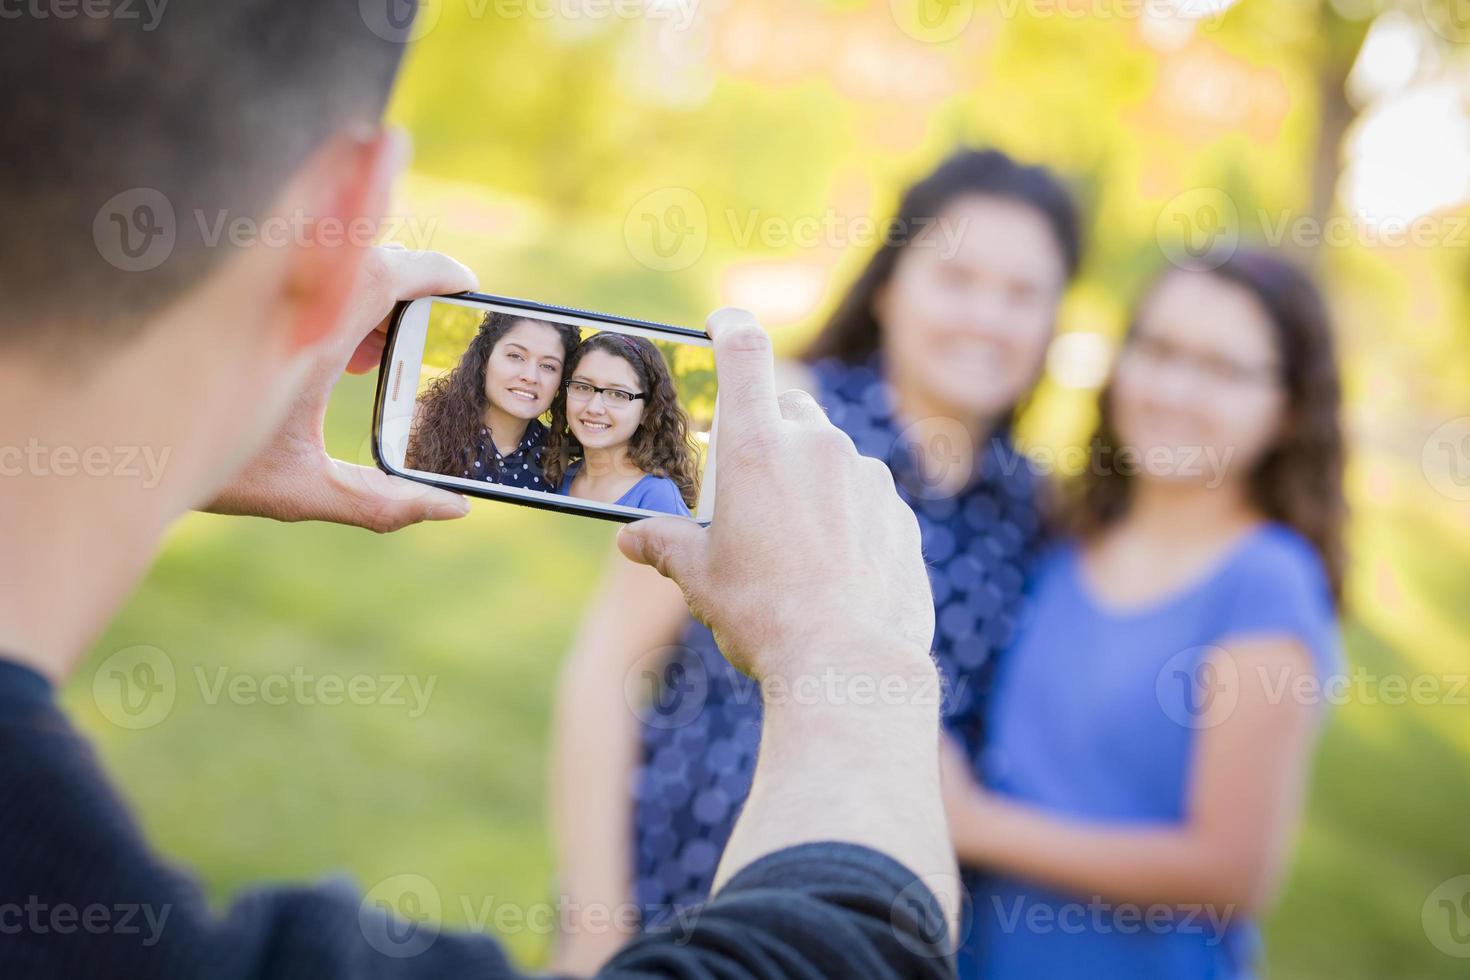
x=702 y=727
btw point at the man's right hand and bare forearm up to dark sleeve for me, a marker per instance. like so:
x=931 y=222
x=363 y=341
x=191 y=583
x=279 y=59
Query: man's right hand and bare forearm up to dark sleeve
x=814 y=583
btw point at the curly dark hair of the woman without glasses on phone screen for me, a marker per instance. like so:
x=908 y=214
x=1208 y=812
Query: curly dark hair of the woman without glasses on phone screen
x=452 y=409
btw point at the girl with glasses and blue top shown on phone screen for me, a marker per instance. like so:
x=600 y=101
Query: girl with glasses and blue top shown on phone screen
x=618 y=431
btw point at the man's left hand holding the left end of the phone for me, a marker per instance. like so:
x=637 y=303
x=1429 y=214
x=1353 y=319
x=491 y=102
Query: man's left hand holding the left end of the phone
x=295 y=478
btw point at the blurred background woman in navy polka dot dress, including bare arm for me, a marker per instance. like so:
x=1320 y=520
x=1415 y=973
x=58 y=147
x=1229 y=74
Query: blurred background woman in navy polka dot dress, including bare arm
x=922 y=365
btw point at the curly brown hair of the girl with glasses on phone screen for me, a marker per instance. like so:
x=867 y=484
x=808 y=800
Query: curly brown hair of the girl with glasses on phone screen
x=664 y=444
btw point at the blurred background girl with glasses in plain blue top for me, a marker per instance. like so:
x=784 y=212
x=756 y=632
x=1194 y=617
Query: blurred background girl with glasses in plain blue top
x=1150 y=735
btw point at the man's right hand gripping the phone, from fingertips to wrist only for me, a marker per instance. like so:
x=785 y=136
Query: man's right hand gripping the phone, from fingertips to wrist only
x=812 y=556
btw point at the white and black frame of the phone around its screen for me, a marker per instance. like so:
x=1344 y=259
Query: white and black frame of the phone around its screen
x=493 y=491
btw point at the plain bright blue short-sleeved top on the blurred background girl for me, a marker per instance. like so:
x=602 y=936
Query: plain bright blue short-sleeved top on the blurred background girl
x=1094 y=718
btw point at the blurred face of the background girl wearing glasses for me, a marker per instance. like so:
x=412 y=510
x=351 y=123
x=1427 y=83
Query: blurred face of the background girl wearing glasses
x=1199 y=381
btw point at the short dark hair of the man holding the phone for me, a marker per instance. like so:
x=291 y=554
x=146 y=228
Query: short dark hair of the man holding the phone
x=208 y=108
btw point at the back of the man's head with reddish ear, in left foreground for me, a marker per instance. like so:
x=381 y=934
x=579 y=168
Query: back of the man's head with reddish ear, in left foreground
x=180 y=196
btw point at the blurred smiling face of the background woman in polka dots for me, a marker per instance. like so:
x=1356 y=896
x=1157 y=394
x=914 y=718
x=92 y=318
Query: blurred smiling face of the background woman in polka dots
x=969 y=309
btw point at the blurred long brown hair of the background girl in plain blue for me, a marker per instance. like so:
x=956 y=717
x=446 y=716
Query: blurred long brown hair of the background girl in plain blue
x=1299 y=481
